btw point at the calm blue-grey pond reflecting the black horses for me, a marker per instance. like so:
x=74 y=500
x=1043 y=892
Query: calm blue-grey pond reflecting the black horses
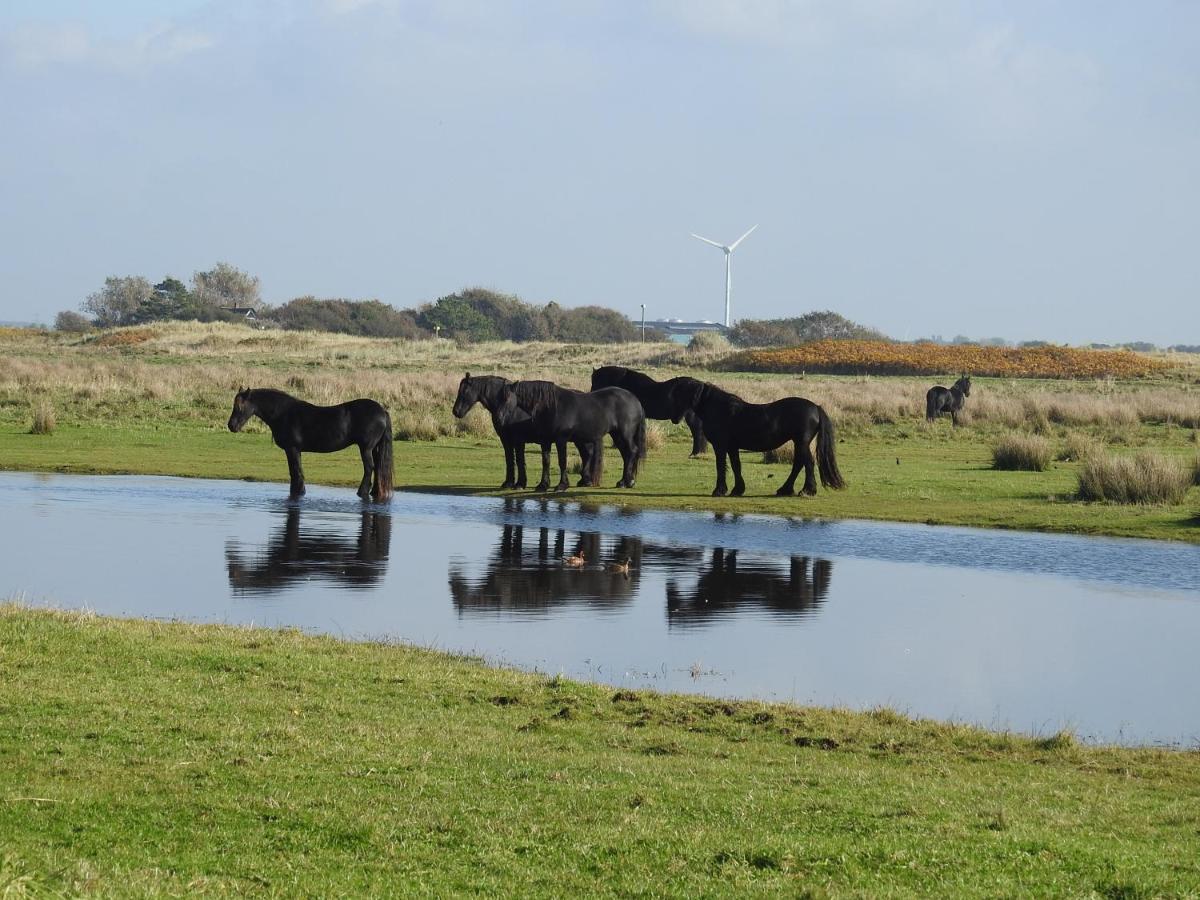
x=1010 y=631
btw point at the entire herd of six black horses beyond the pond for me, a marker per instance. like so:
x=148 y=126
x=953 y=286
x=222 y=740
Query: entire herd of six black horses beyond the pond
x=548 y=415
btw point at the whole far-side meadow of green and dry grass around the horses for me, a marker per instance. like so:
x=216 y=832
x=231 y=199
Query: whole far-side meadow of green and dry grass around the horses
x=155 y=401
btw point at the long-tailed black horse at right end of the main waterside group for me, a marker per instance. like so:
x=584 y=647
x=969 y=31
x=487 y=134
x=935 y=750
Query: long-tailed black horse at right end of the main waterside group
x=731 y=425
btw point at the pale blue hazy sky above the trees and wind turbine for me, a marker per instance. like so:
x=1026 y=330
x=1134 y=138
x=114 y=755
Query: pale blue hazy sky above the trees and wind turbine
x=1025 y=170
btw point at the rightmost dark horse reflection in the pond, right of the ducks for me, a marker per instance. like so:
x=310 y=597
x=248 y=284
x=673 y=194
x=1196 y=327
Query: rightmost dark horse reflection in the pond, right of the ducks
x=727 y=590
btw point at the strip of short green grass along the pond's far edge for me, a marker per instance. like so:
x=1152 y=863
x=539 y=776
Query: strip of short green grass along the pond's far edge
x=935 y=476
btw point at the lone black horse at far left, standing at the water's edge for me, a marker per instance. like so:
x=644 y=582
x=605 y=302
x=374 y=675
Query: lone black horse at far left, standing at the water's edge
x=298 y=427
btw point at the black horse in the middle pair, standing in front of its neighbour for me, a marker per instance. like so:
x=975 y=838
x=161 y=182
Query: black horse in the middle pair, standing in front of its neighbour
x=561 y=415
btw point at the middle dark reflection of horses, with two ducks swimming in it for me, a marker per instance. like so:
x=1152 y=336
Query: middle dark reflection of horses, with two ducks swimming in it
x=537 y=569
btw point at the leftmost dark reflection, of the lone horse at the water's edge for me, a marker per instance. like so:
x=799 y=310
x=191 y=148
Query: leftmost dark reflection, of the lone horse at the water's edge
x=295 y=555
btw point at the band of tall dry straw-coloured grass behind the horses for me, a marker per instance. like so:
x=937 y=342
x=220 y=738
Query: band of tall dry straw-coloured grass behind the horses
x=190 y=371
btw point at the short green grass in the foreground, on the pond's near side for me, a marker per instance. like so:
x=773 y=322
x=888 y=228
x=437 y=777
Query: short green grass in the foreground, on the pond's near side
x=164 y=759
